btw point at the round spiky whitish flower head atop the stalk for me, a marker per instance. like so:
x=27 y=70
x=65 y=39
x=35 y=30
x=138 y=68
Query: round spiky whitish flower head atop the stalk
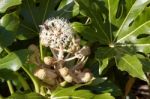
x=55 y=33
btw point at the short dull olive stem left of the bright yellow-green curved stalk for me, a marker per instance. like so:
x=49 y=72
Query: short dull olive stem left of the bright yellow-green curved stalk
x=23 y=81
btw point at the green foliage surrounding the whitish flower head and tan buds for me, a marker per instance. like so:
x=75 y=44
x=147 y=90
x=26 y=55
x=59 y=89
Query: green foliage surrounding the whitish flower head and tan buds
x=116 y=30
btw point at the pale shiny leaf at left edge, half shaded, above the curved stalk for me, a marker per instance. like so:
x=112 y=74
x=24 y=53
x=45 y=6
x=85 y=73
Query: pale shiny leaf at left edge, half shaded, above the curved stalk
x=13 y=60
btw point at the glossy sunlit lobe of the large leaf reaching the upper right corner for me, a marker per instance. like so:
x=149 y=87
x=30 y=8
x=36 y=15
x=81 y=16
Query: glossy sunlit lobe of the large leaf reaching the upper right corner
x=135 y=22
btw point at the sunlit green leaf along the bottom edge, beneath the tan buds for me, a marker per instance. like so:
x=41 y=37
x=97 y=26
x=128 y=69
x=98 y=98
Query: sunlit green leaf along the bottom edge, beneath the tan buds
x=71 y=92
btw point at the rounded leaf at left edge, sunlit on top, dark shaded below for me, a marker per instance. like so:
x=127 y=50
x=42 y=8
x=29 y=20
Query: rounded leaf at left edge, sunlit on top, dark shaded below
x=8 y=26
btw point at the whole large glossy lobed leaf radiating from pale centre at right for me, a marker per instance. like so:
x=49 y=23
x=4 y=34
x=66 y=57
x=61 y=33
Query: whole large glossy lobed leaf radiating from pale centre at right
x=120 y=25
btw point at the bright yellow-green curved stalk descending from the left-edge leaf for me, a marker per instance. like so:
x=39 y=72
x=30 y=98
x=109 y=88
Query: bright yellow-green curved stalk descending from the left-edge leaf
x=34 y=80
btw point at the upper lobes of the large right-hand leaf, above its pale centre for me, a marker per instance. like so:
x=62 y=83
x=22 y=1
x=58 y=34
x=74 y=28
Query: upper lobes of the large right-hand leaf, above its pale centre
x=118 y=22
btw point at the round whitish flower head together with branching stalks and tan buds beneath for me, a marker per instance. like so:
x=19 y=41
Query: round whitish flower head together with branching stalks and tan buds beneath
x=58 y=35
